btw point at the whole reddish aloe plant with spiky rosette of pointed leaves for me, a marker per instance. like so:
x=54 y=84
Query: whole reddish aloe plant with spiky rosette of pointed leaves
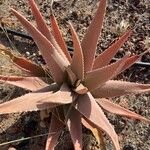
x=74 y=88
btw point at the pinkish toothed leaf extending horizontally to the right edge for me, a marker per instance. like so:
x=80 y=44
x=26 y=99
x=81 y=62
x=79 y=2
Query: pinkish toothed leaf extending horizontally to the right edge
x=114 y=88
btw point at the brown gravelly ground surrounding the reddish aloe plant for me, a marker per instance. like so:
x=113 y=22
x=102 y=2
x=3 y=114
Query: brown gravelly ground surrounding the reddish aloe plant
x=120 y=14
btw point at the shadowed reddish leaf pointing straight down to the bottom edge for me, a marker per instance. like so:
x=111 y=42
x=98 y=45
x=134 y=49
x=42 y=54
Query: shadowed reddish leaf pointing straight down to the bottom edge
x=75 y=128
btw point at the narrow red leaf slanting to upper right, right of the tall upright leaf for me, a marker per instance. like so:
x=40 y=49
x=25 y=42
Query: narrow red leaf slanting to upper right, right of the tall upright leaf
x=104 y=58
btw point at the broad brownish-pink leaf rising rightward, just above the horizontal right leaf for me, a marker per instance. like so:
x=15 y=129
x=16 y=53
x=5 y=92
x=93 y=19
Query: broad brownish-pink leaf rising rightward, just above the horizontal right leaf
x=96 y=78
